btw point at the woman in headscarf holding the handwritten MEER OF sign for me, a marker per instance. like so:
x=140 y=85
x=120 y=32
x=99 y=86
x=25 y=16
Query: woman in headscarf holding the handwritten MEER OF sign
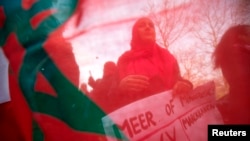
x=147 y=68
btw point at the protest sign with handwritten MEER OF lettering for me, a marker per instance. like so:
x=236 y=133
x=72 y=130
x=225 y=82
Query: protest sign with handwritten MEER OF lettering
x=163 y=118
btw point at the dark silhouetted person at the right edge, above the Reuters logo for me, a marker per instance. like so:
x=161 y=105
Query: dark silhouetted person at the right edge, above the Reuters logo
x=232 y=55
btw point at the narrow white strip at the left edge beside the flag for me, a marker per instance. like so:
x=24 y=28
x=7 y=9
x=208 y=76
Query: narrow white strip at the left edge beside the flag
x=4 y=83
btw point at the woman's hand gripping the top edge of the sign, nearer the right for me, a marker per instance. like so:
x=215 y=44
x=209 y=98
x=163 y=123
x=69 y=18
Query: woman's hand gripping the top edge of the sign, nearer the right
x=182 y=87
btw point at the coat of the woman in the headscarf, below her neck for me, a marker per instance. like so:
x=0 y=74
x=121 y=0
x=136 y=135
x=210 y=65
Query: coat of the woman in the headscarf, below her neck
x=158 y=64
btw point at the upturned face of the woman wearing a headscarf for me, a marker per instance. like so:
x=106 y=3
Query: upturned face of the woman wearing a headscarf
x=145 y=30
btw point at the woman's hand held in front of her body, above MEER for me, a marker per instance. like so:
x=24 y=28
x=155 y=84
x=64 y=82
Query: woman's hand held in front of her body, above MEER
x=134 y=83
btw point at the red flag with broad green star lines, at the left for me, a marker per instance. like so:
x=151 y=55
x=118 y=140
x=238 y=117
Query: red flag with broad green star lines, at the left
x=46 y=103
